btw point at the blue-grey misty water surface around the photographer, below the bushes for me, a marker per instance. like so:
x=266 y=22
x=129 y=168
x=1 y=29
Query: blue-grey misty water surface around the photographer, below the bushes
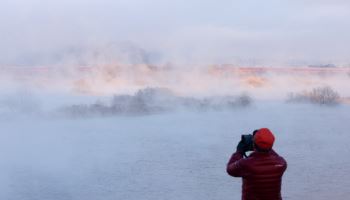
x=178 y=156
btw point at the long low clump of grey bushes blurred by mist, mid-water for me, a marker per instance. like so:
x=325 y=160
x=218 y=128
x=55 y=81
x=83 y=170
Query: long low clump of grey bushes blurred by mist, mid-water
x=155 y=100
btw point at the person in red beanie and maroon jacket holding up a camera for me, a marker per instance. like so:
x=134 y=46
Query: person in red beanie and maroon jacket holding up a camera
x=262 y=170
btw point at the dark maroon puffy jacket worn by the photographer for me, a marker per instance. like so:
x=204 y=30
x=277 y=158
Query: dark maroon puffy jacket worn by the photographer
x=261 y=173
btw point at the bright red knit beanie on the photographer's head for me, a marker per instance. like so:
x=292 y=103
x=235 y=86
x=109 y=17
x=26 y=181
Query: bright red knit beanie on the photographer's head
x=264 y=138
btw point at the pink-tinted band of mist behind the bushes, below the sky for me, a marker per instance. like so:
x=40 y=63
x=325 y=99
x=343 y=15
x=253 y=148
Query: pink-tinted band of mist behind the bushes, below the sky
x=197 y=80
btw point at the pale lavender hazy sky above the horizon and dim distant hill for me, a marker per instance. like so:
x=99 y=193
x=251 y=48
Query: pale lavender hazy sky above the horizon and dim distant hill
x=193 y=31
